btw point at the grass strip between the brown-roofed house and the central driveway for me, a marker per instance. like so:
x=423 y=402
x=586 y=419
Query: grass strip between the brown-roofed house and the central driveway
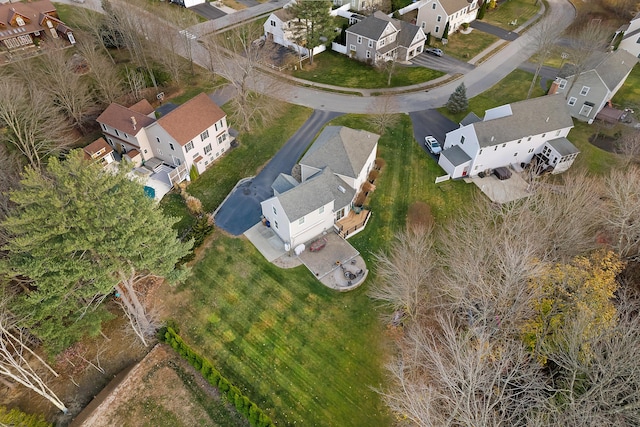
x=255 y=150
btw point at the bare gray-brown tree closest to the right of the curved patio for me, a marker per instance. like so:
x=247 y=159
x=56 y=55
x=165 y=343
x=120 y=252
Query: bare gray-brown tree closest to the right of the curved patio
x=403 y=275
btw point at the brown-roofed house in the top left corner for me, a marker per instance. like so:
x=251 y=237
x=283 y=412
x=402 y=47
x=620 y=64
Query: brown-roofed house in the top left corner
x=25 y=25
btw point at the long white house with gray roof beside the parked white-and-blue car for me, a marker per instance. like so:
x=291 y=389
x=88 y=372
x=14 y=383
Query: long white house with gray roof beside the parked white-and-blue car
x=512 y=134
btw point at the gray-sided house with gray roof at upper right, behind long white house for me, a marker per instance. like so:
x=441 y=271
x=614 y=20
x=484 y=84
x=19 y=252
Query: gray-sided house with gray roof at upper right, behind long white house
x=594 y=88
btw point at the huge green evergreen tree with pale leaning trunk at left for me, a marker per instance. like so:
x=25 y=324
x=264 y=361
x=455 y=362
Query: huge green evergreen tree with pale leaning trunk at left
x=77 y=232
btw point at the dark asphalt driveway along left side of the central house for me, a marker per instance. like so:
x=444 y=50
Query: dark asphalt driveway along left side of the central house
x=242 y=209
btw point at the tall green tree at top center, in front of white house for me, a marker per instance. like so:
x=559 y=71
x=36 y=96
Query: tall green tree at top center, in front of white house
x=313 y=25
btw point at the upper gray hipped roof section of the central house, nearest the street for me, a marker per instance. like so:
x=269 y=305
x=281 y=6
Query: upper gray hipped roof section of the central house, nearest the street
x=342 y=149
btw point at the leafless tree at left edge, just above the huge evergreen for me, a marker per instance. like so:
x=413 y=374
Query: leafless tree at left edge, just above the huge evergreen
x=33 y=125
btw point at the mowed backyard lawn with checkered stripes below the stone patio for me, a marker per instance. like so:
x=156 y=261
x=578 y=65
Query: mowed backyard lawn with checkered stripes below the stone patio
x=304 y=353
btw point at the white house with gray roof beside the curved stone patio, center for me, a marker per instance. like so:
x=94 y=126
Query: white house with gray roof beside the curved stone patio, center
x=333 y=171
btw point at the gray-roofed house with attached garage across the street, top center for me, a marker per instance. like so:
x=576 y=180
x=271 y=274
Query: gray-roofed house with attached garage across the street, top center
x=381 y=38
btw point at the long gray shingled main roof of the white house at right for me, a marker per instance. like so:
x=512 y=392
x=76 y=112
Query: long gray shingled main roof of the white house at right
x=530 y=117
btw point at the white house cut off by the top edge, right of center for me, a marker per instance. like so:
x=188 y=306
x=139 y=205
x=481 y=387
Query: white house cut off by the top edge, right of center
x=433 y=15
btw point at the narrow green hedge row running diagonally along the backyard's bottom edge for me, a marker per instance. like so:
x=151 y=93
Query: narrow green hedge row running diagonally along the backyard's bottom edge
x=250 y=410
